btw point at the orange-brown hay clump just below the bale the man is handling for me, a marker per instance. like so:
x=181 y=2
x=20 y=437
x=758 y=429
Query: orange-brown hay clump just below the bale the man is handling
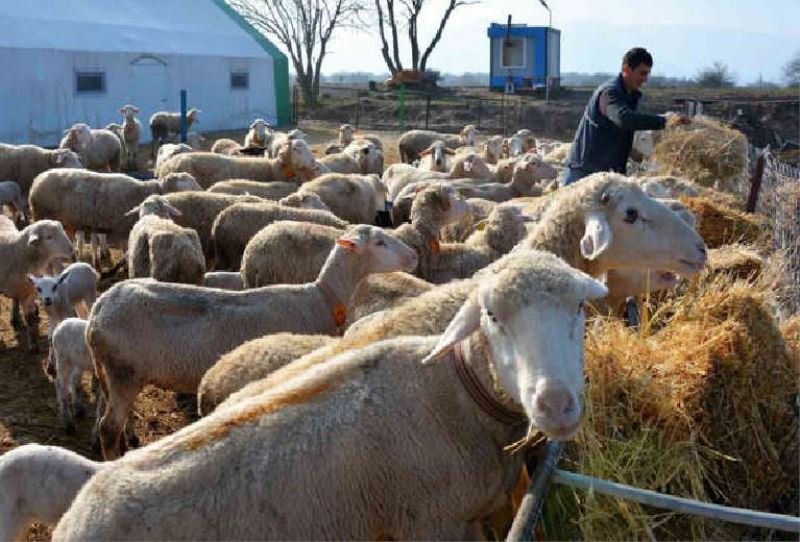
x=720 y=225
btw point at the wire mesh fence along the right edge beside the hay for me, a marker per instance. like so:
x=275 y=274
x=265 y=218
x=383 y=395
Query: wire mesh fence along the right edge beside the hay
x=777 y=196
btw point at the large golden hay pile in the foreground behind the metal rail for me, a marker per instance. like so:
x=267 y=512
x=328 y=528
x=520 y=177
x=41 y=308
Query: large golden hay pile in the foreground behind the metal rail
x=705 y=408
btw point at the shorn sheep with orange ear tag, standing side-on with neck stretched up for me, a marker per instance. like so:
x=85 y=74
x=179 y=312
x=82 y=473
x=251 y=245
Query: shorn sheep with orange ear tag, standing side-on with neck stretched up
x=124 y=331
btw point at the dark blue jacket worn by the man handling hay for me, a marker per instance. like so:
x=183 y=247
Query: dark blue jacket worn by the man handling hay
x=603 y=142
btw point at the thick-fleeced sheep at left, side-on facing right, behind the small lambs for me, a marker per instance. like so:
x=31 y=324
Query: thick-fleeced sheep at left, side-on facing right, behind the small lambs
x=97 y=202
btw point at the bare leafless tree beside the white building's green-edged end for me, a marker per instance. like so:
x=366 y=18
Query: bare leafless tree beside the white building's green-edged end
x=304 y=29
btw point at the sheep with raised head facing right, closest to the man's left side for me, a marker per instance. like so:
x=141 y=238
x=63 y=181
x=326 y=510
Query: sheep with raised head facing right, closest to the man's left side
x=528 y=171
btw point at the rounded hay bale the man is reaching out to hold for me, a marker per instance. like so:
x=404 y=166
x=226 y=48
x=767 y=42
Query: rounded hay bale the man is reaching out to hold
x=707 y=151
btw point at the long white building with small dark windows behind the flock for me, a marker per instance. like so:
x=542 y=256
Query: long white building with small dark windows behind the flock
x=68 y=61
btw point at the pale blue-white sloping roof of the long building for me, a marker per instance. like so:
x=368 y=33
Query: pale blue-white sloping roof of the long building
x=190 y=27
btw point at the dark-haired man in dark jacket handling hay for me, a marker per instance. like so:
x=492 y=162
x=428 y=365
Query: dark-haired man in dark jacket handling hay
x=605 y=135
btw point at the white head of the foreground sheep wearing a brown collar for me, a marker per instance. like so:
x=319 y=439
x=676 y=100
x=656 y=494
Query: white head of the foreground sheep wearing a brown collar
x=529 y=307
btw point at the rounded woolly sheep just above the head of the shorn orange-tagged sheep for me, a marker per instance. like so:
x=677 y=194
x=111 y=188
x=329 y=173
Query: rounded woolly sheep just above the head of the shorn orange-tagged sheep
x=354 y=198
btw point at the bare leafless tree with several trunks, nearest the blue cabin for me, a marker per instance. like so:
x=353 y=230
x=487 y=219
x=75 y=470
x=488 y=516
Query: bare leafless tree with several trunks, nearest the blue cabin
x=409 y=13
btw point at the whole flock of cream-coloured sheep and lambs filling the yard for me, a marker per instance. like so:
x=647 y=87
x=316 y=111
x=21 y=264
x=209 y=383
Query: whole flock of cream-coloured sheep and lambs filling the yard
x=353 y=381
